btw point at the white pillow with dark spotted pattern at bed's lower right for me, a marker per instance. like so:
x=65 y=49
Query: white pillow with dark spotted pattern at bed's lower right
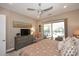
x=69 y=48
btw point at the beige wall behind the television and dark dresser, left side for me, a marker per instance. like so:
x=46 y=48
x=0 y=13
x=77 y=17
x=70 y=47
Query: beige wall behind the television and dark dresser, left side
x=11 y=32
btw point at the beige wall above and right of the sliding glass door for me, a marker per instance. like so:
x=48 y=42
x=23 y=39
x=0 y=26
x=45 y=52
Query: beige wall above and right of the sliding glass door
x=73 y=20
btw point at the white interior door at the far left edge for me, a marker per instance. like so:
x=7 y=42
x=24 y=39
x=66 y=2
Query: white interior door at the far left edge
x=2 y=35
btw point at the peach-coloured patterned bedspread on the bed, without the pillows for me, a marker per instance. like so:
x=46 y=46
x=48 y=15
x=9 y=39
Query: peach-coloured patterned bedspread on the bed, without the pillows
x=44 y=47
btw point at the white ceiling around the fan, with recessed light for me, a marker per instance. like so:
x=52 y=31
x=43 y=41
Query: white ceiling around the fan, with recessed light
x=58 y=8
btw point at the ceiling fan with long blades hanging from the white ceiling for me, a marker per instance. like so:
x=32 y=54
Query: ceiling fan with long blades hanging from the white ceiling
x=39 y=10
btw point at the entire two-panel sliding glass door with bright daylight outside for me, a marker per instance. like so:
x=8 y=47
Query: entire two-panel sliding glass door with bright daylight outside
x=54 y=30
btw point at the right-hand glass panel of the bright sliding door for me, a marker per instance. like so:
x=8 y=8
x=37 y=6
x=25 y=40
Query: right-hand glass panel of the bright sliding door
x=58 y=29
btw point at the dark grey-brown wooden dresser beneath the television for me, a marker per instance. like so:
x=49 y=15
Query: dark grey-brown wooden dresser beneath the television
x=23 y=41
